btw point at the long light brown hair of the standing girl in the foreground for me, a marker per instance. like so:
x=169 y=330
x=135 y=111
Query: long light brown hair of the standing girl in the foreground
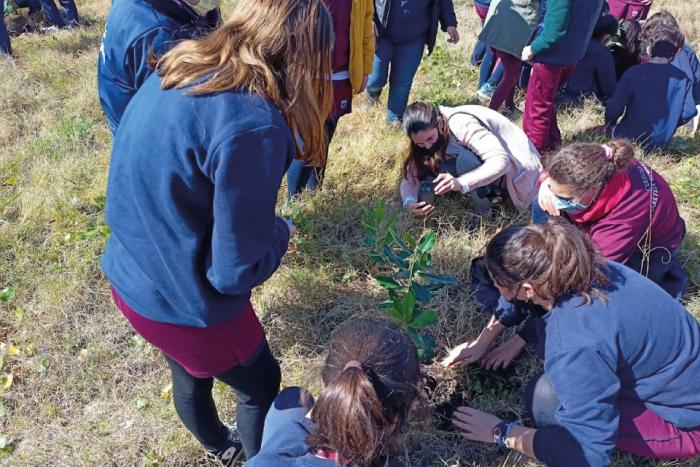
x=278 y=49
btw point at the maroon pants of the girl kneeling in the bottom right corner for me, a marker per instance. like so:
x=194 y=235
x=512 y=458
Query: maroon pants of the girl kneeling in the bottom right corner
x=645 y=434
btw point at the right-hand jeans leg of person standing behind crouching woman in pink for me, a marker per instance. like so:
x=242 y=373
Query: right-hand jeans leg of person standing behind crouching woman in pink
x=405 y=62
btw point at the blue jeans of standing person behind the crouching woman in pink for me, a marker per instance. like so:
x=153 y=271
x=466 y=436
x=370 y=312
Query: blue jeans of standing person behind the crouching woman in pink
x=404 y=59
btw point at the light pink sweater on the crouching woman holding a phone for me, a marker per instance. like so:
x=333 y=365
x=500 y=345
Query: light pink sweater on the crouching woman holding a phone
x=502 y=146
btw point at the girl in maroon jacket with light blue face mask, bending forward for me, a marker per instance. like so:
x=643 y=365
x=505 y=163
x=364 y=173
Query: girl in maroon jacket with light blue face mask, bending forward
x=625 y=207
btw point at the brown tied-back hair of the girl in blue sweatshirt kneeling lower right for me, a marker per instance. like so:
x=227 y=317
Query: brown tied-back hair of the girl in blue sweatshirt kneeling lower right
x=556 y=258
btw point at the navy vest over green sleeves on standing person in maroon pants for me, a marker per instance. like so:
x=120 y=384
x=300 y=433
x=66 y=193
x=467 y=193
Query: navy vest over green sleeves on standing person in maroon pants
x=571 y=31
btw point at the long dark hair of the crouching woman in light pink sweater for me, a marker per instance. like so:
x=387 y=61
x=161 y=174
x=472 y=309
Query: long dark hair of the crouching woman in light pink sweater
x=421 y=116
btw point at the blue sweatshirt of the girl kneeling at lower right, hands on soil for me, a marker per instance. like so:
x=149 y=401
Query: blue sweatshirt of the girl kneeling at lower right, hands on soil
x=641 y=344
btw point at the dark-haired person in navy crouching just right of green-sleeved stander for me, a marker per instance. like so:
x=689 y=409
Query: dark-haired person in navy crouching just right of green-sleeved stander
x=594 y=75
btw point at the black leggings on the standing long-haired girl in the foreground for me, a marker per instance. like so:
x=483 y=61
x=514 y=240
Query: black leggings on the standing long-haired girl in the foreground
x=255 y=384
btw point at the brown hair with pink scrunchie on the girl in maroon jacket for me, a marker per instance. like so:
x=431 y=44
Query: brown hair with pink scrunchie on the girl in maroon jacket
x=584 y=165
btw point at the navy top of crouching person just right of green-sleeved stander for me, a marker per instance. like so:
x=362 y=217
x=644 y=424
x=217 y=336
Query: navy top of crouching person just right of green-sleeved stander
x=594 y=75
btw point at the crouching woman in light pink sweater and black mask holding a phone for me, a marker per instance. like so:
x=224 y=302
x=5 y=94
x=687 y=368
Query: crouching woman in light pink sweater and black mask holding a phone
x=462 y=149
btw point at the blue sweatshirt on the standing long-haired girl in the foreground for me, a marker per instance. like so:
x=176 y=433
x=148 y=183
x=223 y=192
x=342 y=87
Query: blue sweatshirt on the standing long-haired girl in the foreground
x=191 y=197
